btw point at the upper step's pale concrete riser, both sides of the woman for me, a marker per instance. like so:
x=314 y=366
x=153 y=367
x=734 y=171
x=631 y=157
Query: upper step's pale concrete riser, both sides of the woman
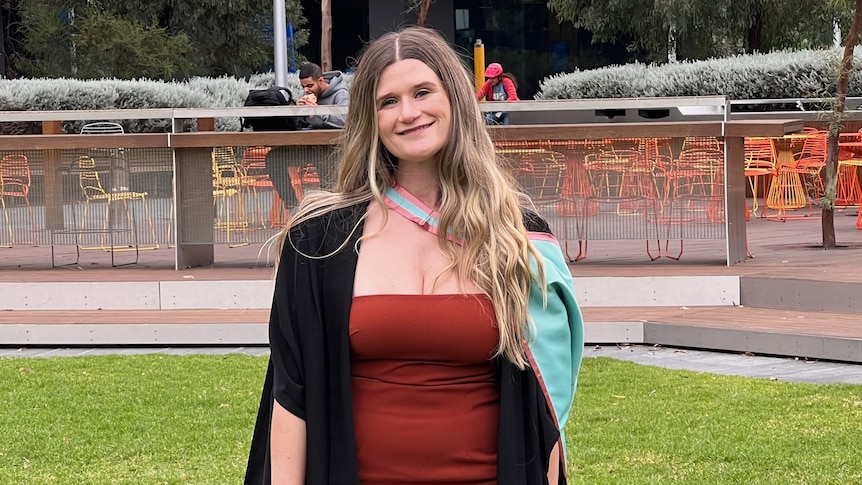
x=619 y=291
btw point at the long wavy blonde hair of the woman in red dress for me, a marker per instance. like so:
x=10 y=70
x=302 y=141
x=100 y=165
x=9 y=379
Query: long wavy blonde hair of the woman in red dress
x=478 y=201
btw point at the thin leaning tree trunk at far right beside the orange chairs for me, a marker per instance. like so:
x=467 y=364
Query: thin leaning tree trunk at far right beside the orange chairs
x=835 y=126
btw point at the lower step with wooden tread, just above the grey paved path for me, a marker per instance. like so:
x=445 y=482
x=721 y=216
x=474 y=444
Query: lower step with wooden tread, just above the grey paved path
x=798 y=333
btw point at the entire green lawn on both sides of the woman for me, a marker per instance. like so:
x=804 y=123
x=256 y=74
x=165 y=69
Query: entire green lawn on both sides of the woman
x=159 y=419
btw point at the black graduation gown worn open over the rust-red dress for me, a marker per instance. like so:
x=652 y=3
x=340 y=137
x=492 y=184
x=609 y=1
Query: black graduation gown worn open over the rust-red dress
x=309 y=367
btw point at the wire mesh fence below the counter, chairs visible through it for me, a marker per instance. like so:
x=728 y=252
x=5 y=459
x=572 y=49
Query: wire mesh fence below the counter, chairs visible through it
x=116 y=199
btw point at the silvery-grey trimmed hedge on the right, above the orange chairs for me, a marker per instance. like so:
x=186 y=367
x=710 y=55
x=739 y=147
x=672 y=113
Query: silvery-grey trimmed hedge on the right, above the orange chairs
x=777 y=75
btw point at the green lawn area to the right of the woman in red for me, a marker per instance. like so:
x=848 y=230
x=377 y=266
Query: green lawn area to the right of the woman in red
x=635 y=424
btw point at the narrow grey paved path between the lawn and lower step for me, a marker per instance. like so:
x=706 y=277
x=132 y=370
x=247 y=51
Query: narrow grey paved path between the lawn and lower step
x=774 y=368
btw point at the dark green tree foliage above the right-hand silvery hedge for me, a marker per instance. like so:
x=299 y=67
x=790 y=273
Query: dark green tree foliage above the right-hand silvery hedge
x=704 y=28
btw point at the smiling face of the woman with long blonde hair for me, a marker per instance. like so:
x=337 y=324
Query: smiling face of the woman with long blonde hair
x=414 y=113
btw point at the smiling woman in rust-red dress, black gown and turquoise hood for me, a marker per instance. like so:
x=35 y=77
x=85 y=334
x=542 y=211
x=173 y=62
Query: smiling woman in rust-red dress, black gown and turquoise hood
x=399 y=349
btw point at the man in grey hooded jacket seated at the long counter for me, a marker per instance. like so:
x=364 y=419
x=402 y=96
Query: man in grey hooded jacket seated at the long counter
x=321 y=89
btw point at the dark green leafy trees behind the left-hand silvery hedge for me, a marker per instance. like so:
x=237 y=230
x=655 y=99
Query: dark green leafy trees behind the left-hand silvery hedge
x=162 y=39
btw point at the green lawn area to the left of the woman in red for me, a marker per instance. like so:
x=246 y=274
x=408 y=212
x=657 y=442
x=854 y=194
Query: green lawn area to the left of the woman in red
x=150 y=419
